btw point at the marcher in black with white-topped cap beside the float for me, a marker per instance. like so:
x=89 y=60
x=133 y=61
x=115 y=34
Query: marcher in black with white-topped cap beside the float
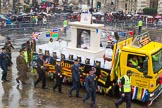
x=58 y=76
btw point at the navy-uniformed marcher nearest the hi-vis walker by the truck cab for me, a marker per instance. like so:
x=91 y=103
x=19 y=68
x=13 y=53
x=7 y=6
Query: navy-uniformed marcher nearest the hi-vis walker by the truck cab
x=90 y=86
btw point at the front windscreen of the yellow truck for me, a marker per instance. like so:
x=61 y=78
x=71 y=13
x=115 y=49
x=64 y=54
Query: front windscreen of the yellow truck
x=157 y=61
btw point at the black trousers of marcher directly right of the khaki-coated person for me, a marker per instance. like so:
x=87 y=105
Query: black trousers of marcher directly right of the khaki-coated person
x=42 y=76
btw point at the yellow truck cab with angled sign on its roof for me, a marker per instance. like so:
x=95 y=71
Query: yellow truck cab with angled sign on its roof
x=146 y=78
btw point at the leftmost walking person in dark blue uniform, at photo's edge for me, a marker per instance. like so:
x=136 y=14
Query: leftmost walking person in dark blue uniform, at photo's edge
x=3 y=64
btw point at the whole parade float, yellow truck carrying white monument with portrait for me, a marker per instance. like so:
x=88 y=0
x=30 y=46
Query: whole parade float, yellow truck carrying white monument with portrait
x=110 y=64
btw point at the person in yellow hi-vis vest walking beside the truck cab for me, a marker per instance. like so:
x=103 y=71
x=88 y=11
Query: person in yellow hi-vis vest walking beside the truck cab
x=125 y=89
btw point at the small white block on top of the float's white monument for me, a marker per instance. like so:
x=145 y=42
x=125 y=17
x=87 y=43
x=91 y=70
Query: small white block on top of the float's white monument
x=86 y=18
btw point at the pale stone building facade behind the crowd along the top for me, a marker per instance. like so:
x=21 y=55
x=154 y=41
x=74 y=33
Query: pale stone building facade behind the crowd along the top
x=127 y=6
